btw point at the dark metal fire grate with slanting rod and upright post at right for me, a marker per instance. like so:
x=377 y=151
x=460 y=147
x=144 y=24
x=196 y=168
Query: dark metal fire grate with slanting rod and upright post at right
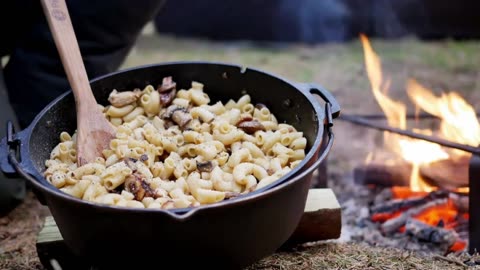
x=474 y=166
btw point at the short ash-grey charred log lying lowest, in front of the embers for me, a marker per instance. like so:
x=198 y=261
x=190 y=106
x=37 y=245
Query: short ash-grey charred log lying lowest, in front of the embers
x=433 y=234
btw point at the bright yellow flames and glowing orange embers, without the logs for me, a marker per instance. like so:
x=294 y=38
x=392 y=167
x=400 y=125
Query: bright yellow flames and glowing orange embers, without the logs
x=459 y=123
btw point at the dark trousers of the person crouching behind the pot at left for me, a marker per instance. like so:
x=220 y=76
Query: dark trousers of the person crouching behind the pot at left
x=106 y=30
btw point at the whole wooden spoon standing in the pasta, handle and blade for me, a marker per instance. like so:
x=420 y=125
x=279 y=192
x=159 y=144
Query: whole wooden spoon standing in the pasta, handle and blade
x=94 y=132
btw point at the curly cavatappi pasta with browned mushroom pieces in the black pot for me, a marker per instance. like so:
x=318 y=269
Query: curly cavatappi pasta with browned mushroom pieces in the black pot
x=177 y=148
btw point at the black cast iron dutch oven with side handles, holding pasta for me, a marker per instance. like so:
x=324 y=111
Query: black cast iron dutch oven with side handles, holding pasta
x=230 y=234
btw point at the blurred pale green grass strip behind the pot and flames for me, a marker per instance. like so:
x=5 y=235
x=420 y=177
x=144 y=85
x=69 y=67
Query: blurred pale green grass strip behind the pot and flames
x=442 y=65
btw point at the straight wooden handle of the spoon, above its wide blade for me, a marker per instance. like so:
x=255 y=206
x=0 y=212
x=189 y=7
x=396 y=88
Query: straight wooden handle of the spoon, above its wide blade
x=64 y=36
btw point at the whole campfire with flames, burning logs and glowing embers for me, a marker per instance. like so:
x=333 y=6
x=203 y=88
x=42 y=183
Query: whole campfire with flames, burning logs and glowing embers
x=427 y=184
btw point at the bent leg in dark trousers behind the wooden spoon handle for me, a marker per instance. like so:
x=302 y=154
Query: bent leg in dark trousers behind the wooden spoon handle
x=106 y=30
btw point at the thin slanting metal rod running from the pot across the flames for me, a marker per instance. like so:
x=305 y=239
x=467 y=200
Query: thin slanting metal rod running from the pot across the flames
x=364 y=122
